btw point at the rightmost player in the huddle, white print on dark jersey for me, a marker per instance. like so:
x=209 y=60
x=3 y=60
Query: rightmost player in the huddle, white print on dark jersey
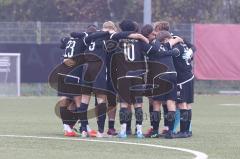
x=185 y=85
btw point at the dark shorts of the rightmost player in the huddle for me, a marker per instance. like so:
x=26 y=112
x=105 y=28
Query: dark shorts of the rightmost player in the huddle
x=185 y=92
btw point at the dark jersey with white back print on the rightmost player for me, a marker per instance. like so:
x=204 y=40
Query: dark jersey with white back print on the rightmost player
x=183 y=62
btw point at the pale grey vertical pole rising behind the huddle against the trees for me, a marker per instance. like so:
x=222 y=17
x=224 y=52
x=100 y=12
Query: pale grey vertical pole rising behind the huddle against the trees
x=147 y=12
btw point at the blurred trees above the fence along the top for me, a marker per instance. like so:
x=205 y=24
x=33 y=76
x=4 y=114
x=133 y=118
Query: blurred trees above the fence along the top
x=175 y=11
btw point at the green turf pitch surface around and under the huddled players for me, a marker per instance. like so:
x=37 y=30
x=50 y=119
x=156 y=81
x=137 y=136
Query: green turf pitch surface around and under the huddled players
x=216 y=130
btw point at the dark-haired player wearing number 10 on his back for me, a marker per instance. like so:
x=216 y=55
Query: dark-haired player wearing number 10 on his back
x=131 y=73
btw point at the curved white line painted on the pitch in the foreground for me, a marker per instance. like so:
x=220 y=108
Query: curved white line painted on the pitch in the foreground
x=197 y=154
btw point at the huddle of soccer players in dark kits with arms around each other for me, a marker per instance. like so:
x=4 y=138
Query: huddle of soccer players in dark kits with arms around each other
x=122 y=64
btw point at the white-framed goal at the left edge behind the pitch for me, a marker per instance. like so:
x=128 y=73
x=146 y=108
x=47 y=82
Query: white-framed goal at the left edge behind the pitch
x=10 y=74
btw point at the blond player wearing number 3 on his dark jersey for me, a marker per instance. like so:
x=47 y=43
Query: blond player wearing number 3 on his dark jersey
x=99 y=87
